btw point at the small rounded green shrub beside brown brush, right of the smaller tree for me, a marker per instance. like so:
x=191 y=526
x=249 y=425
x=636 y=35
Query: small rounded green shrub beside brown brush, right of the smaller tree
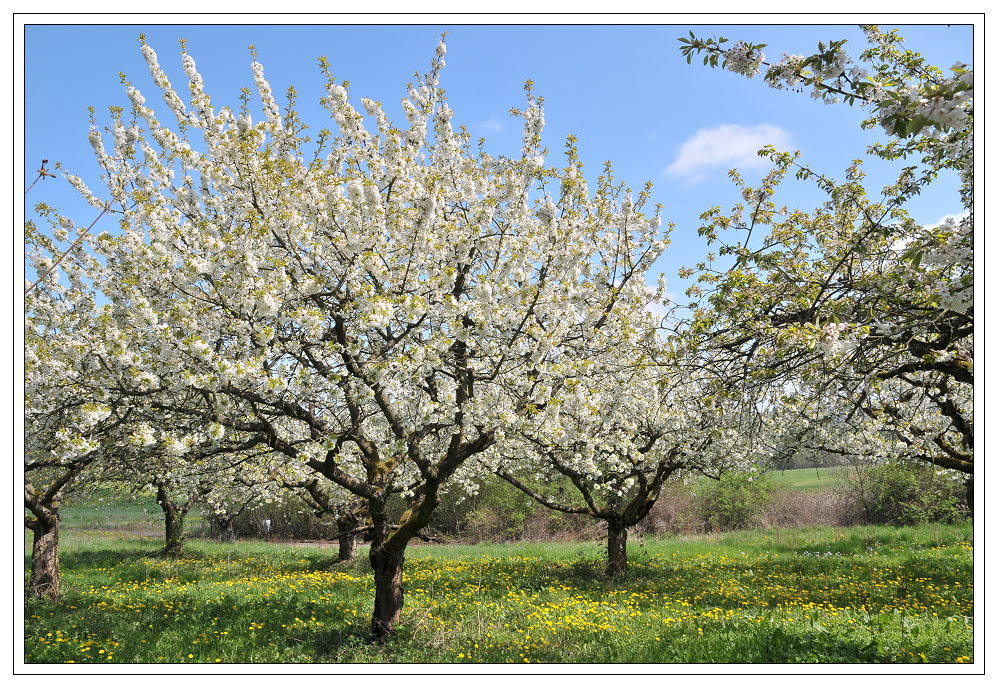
x=733 y=501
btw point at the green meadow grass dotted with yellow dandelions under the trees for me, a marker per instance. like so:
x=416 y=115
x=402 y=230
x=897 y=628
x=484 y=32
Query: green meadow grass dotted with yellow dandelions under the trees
x=868 y=595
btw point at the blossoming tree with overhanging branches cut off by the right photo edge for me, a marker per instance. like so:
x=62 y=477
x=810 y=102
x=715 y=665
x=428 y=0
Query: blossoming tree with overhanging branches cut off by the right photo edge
x=856 y=300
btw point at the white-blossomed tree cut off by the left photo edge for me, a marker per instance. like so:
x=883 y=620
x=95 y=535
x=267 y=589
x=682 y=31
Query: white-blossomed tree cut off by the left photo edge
x=70 y=414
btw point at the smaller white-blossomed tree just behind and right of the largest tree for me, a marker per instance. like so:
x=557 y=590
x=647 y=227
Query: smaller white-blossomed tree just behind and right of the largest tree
x=640 y=415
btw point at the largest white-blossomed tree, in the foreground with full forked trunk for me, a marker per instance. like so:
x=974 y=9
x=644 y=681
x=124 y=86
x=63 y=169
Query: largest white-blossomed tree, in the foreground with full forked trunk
x=380 y=304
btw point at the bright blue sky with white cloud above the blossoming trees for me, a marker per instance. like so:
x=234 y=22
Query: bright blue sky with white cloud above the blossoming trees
x=624 y=91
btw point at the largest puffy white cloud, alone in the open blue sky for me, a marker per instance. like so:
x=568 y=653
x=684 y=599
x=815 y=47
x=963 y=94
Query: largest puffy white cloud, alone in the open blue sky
x=727 y=146
